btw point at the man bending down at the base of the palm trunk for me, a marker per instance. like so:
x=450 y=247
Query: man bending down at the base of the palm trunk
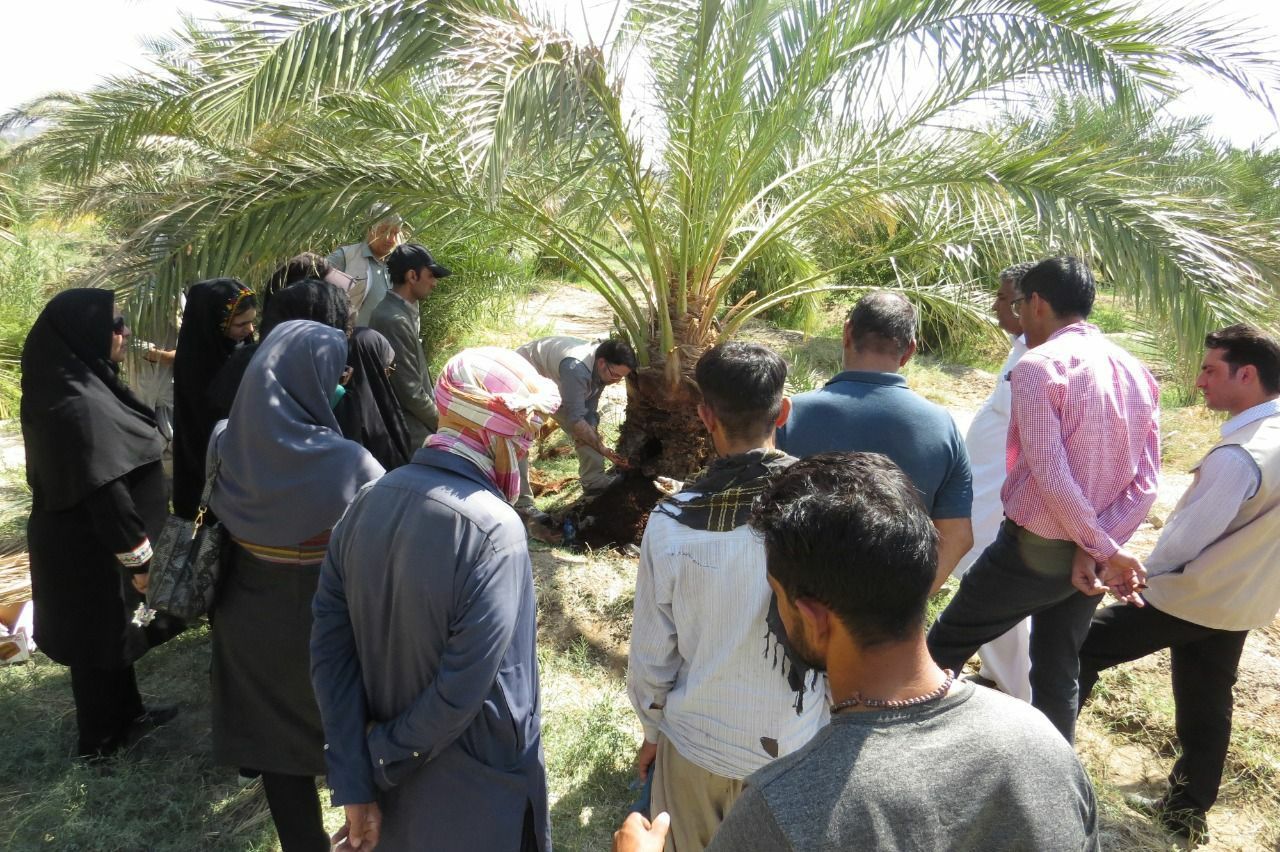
x=582 y=370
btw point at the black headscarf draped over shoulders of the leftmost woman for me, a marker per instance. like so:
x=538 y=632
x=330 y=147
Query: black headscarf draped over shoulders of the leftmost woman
x=81 y=425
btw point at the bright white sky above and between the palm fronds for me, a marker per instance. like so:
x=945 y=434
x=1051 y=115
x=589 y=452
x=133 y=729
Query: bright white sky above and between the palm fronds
x=102 y=38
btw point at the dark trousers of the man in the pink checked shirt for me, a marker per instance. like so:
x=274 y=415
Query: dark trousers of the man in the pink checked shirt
x=1022 y=575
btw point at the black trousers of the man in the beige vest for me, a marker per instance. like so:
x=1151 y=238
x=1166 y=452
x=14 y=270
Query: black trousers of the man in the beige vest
x=1204 y=663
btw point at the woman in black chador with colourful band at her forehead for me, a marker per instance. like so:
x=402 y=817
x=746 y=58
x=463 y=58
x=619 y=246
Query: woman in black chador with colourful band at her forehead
x=218 y=318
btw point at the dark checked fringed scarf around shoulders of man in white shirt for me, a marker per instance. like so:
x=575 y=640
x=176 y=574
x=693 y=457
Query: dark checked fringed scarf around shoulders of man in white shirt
x=725 y=494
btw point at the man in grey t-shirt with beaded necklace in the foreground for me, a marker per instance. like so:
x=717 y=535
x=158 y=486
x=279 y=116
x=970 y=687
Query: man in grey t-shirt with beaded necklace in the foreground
x=912 y=759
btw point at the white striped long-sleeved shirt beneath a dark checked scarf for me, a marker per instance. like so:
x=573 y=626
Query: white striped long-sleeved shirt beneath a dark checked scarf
x=703 y=668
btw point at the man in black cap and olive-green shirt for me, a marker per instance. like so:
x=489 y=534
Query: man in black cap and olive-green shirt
x=414 y=274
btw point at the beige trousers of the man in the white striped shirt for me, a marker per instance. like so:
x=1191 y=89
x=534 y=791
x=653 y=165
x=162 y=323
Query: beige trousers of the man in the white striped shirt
x=697 y=800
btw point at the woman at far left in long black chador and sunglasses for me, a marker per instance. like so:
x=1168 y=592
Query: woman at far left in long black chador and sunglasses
x=98 y=503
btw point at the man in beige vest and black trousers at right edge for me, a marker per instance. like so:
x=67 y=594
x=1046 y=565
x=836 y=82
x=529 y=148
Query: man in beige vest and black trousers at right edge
x=1213 y=576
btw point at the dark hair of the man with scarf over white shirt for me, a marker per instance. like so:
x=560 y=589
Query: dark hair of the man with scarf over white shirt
x=743 y=384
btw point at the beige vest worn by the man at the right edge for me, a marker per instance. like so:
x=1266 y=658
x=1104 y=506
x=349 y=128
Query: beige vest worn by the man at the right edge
x=1235 y=584
